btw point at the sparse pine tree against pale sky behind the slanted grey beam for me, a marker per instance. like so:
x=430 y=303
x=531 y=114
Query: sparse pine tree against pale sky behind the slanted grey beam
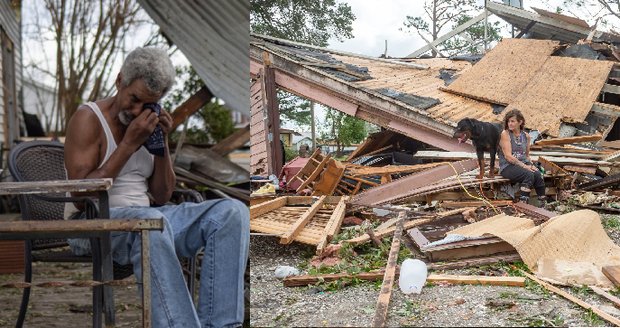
x=443 y=15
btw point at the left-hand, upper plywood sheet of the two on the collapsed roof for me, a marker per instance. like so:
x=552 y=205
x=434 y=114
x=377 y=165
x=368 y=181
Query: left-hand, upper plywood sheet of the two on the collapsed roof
x=500 y=76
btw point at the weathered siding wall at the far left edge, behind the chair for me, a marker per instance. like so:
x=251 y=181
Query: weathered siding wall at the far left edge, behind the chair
x=12 y=27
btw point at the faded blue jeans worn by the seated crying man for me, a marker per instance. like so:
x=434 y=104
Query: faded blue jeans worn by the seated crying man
x=222 y=227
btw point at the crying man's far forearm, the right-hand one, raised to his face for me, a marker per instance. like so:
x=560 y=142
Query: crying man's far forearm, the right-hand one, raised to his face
x=163 y=180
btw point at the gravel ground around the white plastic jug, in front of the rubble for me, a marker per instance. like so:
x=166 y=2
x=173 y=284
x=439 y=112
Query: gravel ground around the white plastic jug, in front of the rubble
x=326 y=305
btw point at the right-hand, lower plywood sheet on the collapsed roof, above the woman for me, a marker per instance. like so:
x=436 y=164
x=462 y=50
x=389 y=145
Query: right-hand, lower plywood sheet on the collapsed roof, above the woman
x=564 y=89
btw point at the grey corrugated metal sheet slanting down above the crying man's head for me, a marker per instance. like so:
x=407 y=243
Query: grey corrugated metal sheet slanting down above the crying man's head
x=214 y=36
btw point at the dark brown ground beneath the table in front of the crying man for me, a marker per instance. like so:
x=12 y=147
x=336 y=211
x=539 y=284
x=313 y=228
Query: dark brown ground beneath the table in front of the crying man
x=64 y=307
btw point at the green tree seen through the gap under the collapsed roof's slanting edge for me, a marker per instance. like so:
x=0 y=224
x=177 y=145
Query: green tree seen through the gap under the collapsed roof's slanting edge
x=343 y=129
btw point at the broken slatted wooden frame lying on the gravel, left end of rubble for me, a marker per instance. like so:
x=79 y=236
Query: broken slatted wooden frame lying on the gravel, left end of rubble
x=309 y=220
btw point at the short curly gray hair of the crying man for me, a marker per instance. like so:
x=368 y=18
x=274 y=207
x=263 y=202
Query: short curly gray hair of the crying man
x=152 y=65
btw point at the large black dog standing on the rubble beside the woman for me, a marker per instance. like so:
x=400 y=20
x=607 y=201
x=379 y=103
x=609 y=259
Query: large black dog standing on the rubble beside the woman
x=484 y=136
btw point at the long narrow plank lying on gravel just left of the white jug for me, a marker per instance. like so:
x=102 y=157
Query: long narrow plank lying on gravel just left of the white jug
x=383 y=301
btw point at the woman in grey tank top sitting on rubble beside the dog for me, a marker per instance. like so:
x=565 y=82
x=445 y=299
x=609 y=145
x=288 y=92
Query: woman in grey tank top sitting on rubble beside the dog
x=514 y=158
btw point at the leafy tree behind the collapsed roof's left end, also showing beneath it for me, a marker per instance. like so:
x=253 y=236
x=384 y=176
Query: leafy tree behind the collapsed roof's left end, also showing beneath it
x=308 y=21
